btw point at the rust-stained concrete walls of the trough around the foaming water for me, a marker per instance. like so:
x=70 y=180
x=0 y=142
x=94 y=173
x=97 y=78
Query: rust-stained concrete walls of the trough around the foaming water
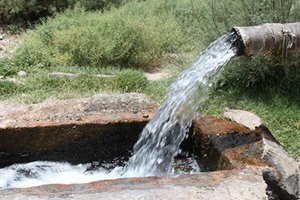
x=106 y=127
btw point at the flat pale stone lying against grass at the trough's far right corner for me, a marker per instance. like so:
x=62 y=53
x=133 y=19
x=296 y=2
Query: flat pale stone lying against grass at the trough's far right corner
x=243 y=117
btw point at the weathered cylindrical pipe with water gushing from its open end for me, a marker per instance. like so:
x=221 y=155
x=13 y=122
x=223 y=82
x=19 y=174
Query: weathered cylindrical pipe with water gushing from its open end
x=268 y=39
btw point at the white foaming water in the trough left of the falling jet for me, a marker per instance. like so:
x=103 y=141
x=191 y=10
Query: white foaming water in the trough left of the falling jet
x=42 y=173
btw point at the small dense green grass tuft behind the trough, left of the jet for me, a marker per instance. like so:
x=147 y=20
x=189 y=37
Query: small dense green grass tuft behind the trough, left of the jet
x=130 y=81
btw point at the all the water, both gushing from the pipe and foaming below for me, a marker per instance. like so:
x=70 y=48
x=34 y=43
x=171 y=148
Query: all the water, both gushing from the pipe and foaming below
x=158 y=143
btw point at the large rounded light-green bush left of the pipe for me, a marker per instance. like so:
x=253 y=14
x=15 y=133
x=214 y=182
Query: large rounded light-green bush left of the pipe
x=79 y=38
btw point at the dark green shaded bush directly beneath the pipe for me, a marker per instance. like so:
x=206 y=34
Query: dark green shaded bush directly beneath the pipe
x=261 y=73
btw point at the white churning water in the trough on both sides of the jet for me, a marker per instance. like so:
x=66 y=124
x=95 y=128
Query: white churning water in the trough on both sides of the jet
x=43 y=172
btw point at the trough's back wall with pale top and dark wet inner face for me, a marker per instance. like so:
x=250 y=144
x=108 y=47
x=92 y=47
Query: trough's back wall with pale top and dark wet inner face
x=76 y=130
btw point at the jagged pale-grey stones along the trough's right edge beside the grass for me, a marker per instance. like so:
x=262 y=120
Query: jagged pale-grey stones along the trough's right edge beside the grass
x=284 y=178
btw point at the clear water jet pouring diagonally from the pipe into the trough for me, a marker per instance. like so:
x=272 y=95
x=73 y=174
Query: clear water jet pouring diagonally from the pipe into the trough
x=160 y=140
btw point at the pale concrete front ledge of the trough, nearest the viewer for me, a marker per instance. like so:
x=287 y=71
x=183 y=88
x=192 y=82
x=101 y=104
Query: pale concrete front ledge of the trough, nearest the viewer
x=225 y=185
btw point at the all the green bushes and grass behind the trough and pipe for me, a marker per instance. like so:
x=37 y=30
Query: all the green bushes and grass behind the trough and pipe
x=94 y=37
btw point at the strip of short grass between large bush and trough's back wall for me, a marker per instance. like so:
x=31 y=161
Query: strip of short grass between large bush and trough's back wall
x=39 y=85
